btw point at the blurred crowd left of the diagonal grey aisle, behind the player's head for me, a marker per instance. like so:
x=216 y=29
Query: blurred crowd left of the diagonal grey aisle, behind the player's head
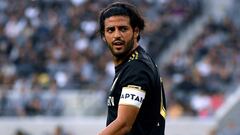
x=52 y=45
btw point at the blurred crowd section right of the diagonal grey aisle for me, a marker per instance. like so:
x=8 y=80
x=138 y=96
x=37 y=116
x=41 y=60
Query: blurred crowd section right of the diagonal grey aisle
x=203 y=76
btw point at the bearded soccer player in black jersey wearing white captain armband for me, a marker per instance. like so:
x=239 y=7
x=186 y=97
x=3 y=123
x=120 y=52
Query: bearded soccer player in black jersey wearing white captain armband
x=136 y=101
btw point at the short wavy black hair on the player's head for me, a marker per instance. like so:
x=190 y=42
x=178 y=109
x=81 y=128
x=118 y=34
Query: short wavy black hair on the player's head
x=122 y=9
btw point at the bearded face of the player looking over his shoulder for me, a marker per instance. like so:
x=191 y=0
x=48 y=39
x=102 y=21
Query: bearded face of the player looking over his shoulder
x=119 y=35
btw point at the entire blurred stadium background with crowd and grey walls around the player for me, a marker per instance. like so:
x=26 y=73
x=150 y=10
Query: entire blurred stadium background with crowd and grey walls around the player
x=55 y=70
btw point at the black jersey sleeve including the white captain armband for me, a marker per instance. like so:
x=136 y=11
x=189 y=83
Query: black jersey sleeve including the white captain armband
x=135 y=83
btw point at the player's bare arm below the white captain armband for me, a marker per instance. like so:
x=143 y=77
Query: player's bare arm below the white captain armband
x=124 y=121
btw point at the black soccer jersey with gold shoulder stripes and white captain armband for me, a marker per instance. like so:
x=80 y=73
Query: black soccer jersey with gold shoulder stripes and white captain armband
x=139 y=73
